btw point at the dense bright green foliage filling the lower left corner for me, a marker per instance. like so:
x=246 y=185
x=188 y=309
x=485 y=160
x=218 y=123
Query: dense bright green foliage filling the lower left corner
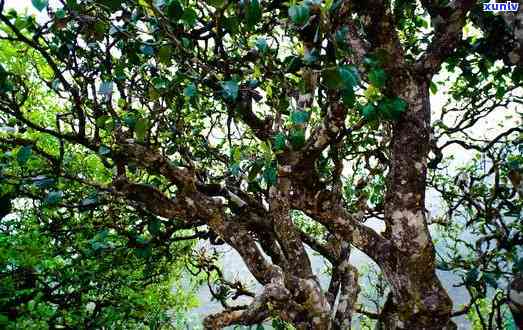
x=61 y=270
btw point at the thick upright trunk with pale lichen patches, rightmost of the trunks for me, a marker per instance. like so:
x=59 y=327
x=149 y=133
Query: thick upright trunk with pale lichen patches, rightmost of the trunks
x=419 y=301
